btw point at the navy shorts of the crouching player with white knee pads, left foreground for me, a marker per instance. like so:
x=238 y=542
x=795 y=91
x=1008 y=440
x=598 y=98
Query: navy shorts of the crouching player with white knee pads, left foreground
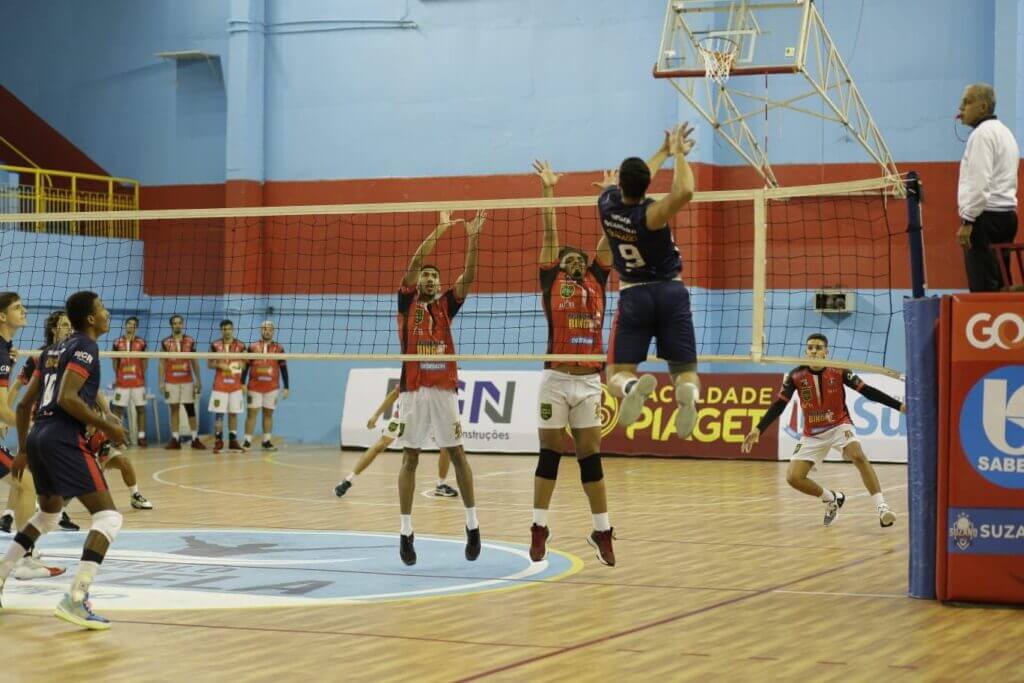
x=61 y=461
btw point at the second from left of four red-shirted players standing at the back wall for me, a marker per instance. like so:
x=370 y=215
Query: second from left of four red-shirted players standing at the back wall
x=181 y=382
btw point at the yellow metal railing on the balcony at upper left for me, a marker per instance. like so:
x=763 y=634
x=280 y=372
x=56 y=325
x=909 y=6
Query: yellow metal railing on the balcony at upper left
x=59 y=192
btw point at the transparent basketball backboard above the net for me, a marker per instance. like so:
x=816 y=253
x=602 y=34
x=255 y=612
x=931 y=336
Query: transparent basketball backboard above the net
x=767 y=36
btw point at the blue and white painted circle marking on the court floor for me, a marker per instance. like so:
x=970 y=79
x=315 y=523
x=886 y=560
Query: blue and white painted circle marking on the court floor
x=232 y=569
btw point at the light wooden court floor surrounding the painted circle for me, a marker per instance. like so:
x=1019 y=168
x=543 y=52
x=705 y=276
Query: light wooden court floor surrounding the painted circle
x=724 y=574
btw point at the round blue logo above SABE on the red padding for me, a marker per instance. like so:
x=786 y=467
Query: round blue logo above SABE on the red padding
x=992 y=428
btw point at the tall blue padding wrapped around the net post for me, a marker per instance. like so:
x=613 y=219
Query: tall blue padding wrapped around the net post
x=921 y=317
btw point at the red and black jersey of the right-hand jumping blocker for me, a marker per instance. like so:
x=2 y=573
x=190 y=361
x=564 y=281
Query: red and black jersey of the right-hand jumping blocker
x=575 y=311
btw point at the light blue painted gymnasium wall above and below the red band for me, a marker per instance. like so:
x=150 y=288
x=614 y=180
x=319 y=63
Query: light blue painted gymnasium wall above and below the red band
x=478 y=88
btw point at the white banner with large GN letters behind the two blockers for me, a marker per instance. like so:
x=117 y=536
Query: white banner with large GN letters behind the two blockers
x=498 y=409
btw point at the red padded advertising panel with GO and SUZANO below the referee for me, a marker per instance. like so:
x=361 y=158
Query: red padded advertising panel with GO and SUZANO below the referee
x=980 y=549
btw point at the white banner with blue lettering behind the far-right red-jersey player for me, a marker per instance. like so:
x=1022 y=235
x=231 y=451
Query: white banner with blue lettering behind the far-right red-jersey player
x=882 y=431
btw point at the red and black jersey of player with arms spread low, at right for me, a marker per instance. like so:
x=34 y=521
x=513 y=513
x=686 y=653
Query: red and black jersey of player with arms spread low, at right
x=823 y=398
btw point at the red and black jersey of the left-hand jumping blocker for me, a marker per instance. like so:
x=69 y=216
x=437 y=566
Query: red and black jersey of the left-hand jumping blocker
x=425 y=328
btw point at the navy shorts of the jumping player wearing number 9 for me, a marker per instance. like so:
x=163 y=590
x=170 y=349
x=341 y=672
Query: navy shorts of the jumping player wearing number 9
x=660 y=312
